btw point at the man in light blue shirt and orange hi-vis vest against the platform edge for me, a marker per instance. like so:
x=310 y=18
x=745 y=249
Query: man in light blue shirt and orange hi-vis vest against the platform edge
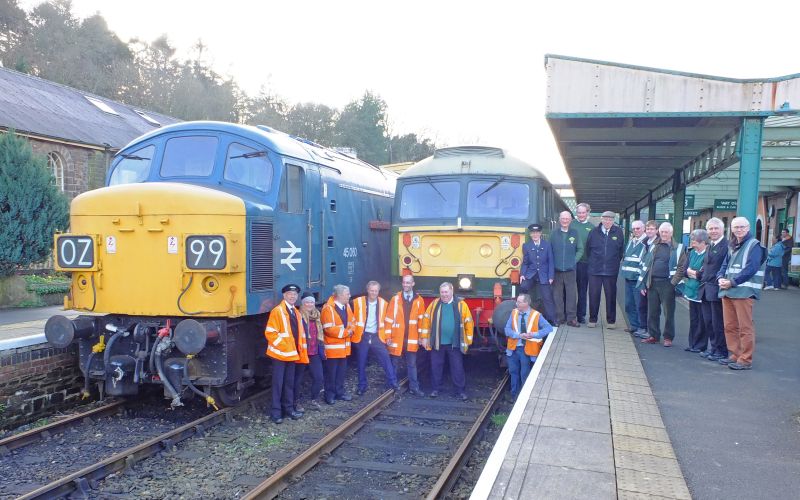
x=526 y=330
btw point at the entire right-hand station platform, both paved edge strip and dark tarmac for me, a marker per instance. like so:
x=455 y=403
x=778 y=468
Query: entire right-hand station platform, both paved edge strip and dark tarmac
x=604 y=416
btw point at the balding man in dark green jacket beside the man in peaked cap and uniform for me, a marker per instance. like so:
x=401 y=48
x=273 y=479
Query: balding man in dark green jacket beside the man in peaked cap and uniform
x=567 y=251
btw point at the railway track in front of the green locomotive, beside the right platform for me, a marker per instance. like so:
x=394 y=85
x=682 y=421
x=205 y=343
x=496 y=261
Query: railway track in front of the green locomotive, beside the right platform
x=436 y=436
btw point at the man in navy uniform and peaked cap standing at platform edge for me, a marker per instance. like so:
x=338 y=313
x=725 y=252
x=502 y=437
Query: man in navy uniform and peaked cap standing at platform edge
x=538 y=270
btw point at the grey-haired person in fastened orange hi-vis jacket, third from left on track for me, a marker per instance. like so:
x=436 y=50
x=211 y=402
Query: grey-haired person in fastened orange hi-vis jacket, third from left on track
x=338 y=324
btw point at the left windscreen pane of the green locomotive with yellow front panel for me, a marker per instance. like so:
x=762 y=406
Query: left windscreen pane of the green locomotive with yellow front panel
x=430 y=200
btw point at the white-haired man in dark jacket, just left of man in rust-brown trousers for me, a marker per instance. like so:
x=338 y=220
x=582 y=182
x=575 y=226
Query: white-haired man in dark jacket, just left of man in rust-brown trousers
x=717 y=349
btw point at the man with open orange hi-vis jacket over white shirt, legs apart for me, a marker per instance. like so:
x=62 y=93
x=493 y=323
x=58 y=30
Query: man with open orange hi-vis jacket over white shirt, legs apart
x=371 y=336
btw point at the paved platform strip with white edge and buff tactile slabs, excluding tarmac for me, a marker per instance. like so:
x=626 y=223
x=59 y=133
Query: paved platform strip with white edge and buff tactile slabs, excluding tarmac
x=586 y=425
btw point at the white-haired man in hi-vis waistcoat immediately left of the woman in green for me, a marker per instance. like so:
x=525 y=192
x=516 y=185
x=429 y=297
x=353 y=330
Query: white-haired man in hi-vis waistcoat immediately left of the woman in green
x=658 y=268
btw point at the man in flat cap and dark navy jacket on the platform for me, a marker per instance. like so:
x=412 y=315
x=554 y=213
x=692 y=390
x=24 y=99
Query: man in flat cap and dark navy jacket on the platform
x=605 y=248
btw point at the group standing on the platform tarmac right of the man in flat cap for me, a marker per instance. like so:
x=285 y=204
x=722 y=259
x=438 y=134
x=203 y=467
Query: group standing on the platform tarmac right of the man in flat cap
x=720 y=278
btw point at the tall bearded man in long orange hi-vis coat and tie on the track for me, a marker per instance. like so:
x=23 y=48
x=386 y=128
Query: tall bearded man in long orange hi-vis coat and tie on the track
x=403 y=317
